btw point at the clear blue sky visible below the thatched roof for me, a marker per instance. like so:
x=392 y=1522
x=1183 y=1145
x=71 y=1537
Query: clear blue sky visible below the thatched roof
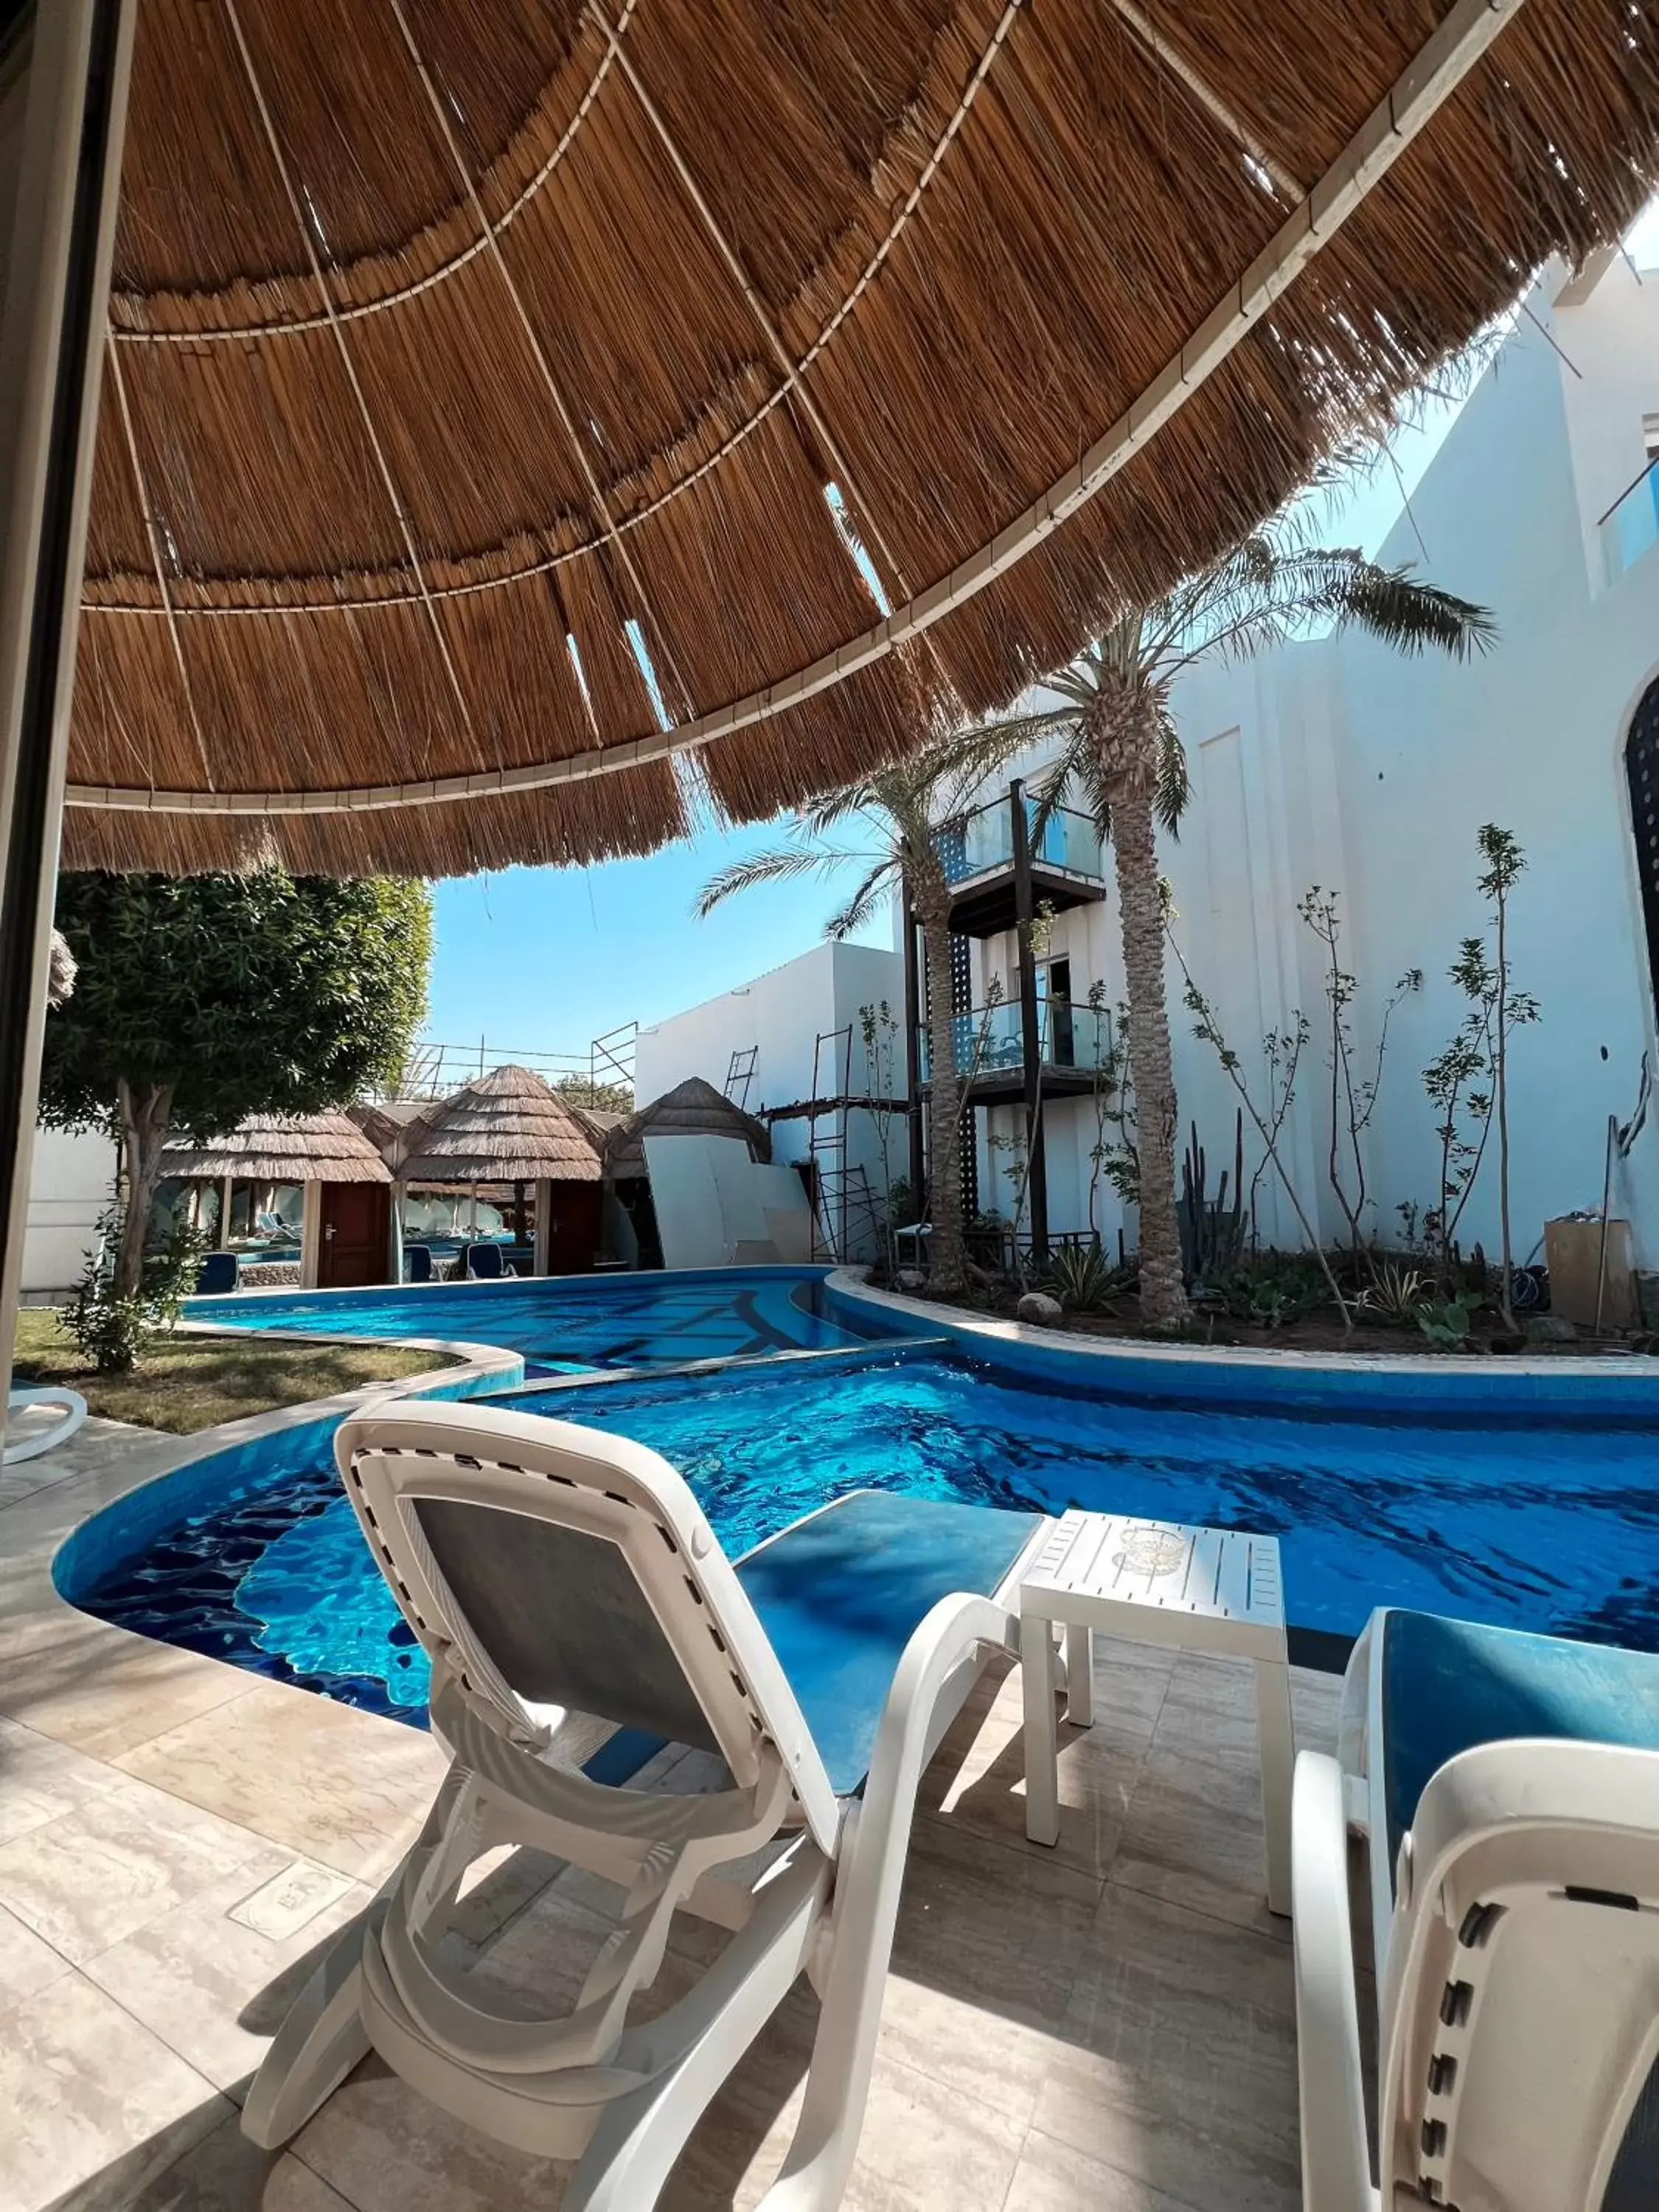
x=541 y=961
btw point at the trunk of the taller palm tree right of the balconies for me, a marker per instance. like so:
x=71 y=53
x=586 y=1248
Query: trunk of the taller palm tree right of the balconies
x=1125 y=733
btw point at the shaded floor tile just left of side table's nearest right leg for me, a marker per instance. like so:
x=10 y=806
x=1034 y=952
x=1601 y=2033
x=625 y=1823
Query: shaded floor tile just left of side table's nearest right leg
x=1193 y=1837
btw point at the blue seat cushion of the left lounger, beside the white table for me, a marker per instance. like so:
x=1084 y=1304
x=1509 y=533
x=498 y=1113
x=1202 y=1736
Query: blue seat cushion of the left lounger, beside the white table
x=842 y=1592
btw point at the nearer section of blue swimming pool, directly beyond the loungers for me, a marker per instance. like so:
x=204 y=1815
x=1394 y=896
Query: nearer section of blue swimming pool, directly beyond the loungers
x=1507 y=1505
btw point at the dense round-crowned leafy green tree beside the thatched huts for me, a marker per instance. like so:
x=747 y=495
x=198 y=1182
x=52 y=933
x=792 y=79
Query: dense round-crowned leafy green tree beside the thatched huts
x=209 y=999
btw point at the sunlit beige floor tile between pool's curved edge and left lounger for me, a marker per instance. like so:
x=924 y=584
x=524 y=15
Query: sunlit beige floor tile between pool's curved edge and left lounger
x=335 y=1784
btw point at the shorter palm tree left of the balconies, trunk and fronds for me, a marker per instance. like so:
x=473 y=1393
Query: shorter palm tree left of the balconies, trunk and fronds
x=899 y=808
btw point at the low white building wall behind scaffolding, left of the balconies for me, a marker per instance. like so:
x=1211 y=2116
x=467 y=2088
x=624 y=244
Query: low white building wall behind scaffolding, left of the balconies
x=782 y=1014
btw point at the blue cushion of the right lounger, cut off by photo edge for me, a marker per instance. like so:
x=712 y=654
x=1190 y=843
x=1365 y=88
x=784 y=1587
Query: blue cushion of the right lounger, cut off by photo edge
x=1450 y=1687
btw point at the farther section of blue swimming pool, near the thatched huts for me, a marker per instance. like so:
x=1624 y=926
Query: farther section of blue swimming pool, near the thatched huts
x=565 y=1324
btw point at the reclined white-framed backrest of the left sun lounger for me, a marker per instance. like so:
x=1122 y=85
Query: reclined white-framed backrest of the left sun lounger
x=547 y=1565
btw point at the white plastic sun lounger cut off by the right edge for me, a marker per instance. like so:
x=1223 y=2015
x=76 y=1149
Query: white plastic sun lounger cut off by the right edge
x=1507 y=1791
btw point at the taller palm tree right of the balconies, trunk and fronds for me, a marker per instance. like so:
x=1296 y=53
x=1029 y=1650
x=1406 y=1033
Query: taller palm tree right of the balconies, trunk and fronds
x=1123 y=749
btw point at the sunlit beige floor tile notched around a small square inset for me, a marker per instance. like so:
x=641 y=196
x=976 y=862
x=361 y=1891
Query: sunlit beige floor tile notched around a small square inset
x=211 y=1987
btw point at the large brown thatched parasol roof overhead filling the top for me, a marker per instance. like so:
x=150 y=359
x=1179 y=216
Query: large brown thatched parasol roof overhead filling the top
x=457 y=353
